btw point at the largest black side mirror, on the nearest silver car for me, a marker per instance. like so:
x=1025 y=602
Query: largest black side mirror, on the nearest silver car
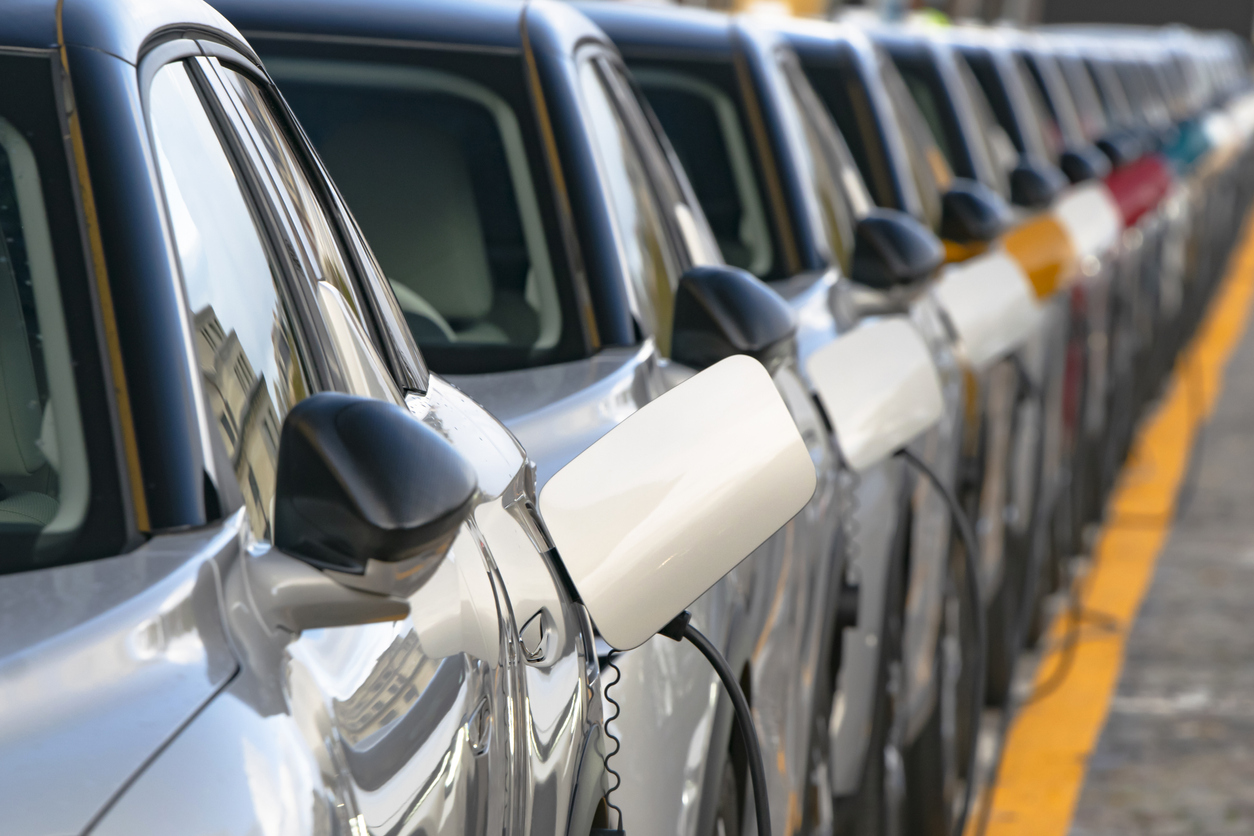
x=363 y=481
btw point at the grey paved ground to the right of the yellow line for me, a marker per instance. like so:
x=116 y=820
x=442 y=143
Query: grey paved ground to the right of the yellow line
x=1177 y=756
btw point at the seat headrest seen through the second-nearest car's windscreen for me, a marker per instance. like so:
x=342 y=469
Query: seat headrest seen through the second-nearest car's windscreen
x=409 y=187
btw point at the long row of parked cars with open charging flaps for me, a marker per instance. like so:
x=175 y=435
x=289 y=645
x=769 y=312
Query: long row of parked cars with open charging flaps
x=379 y=378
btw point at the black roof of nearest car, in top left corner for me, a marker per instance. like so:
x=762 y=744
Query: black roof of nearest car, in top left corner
x=112 y=27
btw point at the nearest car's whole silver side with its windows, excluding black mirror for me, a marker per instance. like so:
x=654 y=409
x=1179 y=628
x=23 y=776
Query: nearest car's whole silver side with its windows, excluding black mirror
x=412 y=726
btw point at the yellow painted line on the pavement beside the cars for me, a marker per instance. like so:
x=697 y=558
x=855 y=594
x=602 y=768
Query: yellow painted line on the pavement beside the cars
x=1050 y=743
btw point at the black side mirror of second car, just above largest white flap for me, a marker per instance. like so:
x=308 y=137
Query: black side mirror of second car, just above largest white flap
x=724 y=311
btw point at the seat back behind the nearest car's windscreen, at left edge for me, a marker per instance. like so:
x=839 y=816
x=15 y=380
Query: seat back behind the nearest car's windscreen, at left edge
x=21 y=413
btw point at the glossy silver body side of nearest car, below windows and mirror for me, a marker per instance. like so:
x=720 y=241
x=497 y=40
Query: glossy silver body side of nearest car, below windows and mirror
x=447 y=723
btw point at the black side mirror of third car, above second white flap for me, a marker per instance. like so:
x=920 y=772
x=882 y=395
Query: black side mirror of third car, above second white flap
x=892 y=249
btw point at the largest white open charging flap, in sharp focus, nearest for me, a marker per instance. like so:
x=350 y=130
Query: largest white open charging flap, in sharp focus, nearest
x=665 y=504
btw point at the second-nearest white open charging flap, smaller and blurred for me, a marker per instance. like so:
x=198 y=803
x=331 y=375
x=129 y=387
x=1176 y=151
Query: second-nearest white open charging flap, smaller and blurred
x=878 y=387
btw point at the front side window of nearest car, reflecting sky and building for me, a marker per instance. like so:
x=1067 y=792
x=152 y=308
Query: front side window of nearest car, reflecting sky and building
x=253 y=368
